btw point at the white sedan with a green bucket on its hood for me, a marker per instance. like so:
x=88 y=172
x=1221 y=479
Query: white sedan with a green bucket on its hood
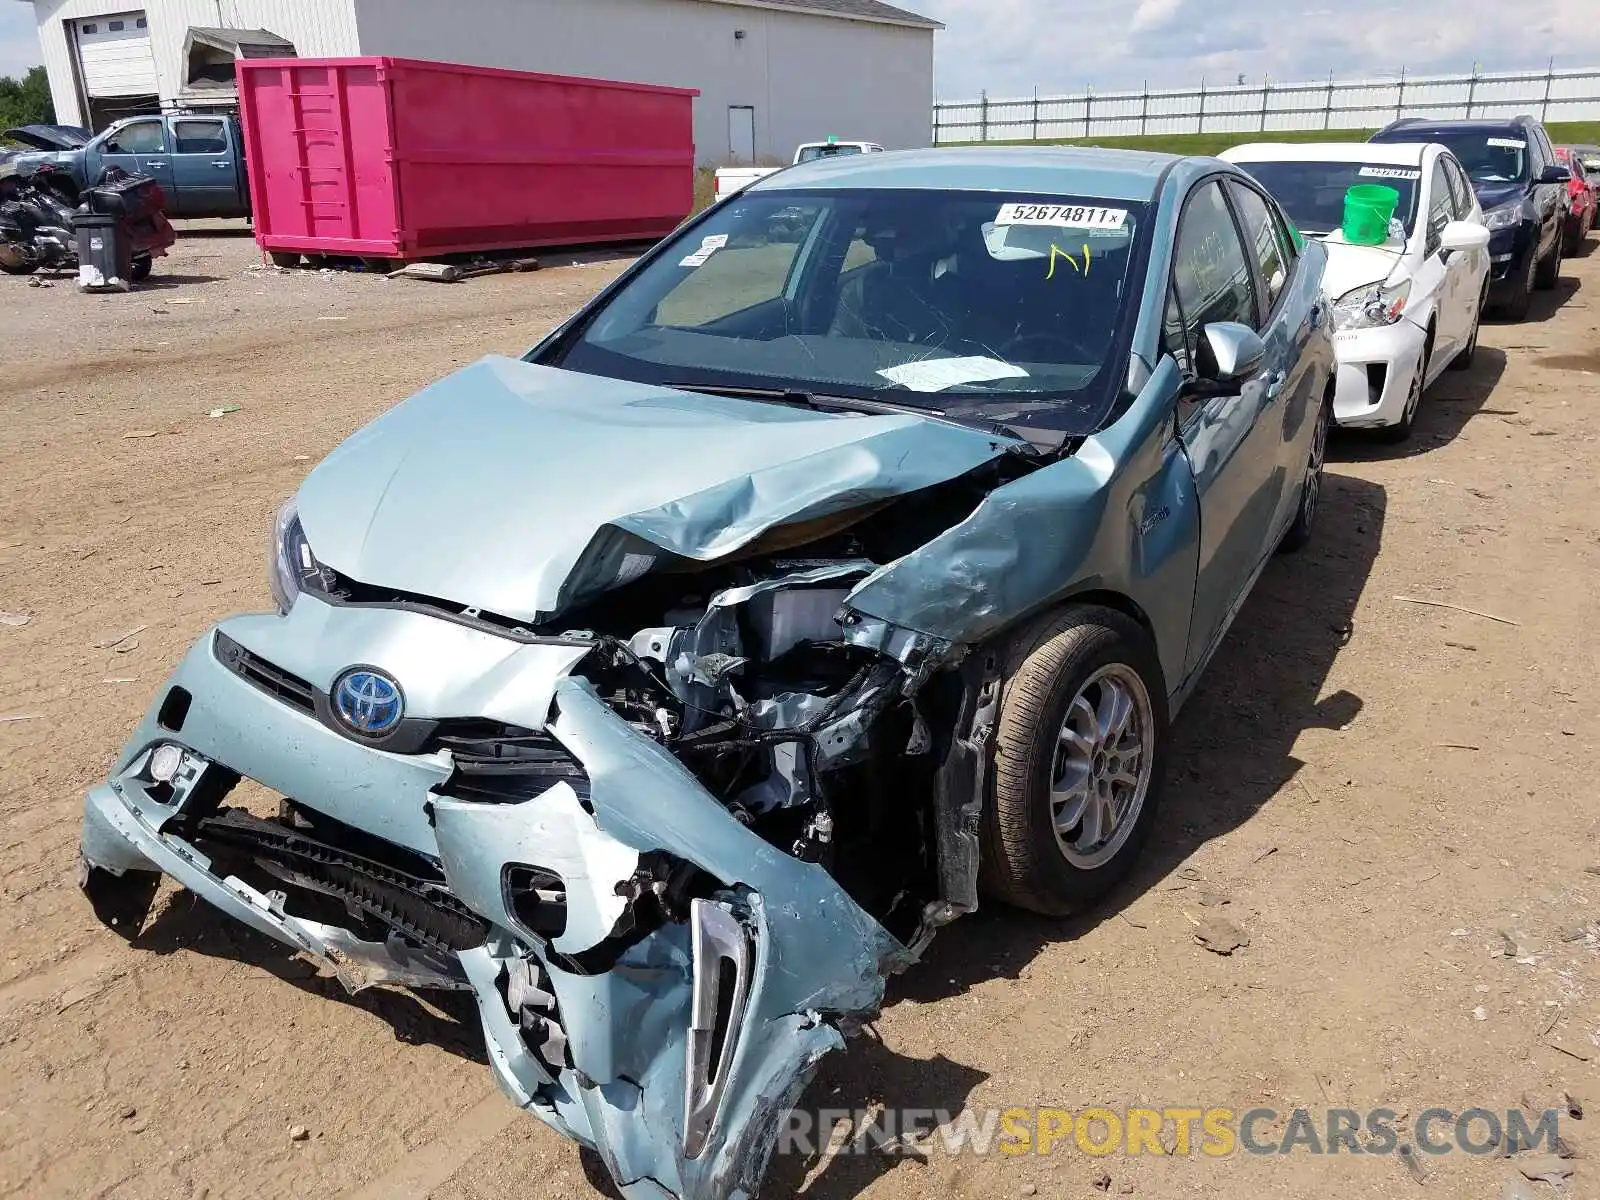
x=1409 y=308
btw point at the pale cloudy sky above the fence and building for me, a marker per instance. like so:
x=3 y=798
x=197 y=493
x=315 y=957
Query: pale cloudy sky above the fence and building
x=1012 y=46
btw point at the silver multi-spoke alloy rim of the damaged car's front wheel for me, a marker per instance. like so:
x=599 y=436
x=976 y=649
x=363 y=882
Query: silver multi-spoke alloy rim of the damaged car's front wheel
x=1103 y=766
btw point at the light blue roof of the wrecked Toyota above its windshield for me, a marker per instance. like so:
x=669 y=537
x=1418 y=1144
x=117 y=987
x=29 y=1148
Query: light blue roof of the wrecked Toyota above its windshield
x=1108 y=175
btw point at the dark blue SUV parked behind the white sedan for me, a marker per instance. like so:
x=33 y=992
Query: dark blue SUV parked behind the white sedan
x=1522 y=190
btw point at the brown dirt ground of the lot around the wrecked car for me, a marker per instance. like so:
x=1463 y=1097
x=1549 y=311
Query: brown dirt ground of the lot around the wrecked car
x=1380 y=790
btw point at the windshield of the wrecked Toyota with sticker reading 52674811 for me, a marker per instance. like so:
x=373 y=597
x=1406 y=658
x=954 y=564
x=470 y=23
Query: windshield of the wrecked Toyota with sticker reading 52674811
x=919 y=298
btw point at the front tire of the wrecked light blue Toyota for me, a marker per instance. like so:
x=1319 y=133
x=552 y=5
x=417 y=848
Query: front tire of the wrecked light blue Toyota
x=1073 y=652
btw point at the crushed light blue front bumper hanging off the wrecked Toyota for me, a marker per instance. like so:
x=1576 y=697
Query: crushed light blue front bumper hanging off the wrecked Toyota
x=678 y=1058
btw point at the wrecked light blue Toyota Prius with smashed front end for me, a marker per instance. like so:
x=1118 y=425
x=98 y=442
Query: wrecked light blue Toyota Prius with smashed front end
x=668 y=689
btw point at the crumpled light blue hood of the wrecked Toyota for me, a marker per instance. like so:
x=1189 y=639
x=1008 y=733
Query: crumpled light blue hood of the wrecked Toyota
x=492 y=486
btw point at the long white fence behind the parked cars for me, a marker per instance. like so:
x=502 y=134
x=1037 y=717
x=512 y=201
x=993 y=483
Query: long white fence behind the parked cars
x=1262 y=108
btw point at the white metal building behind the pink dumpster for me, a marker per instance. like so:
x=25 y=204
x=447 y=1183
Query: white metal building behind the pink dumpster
x=770 y=73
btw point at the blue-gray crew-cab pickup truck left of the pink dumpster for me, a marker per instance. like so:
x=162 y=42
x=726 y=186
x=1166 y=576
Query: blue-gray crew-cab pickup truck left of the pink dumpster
x=198 y=159
